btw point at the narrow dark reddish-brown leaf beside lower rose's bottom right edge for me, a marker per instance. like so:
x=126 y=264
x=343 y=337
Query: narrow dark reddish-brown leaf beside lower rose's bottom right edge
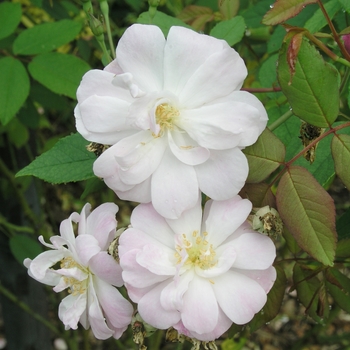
x=273 y=304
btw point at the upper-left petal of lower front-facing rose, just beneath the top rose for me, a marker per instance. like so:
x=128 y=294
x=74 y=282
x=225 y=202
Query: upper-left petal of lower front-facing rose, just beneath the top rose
x=146 y=219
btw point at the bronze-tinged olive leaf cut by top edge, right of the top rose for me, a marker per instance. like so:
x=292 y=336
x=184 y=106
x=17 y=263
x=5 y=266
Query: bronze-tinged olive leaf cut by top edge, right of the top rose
x=284 y=9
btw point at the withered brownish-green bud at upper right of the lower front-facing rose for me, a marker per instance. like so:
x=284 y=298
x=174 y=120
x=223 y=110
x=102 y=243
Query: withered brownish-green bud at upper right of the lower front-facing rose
x=267 y=221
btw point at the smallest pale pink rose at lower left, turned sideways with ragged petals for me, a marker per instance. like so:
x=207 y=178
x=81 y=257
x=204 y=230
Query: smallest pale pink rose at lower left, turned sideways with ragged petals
x=87 y=271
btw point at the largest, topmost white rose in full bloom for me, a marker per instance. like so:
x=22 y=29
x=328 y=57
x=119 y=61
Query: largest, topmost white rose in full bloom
x=175 y=118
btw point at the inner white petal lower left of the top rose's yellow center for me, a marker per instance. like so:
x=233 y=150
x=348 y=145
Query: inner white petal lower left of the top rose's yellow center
x=138 y=156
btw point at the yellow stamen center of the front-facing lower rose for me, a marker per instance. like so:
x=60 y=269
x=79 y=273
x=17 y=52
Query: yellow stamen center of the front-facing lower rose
x=199 y=252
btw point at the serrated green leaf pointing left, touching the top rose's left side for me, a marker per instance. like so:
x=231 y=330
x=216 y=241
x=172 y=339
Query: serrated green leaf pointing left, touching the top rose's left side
x=67 y=161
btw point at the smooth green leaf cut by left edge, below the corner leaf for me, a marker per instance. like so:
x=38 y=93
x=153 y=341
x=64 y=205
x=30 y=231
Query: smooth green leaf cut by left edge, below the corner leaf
x=14 y=87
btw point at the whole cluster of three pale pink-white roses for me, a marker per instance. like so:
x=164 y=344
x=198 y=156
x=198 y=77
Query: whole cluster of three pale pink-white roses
x=174 y=122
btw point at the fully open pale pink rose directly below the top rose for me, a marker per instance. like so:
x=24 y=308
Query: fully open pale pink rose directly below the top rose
x=198 y=275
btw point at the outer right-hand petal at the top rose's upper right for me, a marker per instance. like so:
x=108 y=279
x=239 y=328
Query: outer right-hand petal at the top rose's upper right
x=225 y=70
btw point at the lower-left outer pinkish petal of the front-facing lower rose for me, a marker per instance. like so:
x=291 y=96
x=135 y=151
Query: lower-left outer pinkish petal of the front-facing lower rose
x=153 y=313
